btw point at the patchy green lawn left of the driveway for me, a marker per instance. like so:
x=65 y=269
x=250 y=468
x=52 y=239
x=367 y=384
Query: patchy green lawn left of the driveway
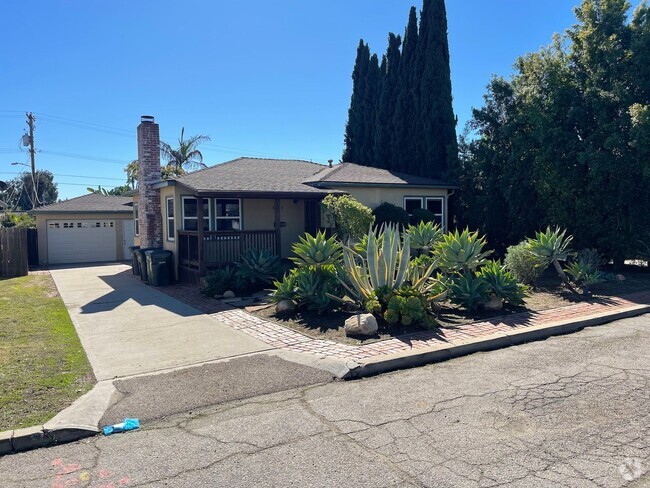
x=43 y=367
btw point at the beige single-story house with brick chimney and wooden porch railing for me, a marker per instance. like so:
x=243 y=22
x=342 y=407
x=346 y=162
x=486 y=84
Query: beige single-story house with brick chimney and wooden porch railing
x=256 y=203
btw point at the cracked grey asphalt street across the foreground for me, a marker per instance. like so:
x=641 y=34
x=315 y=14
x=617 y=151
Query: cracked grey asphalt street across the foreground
x=568 y=411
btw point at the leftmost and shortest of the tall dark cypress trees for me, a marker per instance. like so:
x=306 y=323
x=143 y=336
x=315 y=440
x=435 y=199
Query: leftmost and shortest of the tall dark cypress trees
x=355 y=127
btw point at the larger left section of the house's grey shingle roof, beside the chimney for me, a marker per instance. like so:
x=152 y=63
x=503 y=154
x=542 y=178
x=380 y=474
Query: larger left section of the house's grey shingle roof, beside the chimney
x=255 y=175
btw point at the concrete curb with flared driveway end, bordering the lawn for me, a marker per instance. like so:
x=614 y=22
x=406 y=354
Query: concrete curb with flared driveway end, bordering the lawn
x=78 y=421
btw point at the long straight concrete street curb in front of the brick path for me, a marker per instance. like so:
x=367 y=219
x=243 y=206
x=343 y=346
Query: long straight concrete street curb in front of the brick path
x=498 y=340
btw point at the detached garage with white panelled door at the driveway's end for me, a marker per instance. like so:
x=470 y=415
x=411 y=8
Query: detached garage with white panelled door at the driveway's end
x=87 y=229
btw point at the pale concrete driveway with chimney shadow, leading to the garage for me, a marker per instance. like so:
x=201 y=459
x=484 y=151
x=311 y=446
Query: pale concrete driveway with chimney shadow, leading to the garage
x=128 y=328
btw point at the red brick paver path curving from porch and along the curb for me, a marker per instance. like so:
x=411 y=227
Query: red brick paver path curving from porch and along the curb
x=281 y=337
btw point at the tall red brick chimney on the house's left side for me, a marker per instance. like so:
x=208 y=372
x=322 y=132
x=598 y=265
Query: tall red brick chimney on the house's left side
x=151 y=232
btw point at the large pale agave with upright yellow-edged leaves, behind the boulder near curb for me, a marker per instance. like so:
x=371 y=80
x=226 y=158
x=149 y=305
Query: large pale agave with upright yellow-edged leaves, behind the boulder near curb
x=385 y=265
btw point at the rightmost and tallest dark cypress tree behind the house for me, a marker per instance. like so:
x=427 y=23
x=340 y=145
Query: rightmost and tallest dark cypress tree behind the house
x=436 y=131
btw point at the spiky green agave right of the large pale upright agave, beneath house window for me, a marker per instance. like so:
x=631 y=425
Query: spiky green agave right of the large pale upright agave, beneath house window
x=460 y=252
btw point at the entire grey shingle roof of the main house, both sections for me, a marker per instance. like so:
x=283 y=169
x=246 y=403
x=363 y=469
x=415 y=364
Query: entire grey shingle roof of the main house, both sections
x=284 y=176
